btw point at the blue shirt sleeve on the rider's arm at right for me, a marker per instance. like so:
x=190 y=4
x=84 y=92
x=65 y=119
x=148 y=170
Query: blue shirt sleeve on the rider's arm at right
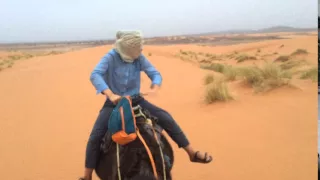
x=151 y=71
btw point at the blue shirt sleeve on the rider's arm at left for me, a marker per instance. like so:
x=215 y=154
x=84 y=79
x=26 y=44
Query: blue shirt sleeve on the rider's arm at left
x=98 y=73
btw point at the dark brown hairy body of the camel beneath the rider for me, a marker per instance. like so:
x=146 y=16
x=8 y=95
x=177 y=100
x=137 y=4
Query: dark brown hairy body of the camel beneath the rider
x=134 y=160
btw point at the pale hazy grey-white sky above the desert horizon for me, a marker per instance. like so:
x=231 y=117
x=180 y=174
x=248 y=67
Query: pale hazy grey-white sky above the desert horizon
x=43 y=20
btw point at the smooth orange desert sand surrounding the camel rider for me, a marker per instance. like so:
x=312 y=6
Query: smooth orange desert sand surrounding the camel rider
x=48 y=107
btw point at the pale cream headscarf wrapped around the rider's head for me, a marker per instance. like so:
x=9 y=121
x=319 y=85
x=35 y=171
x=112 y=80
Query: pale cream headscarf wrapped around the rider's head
x=129 y=45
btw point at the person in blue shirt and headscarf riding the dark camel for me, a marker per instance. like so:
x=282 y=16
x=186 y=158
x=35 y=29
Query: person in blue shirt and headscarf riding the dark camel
x=118 y=74
